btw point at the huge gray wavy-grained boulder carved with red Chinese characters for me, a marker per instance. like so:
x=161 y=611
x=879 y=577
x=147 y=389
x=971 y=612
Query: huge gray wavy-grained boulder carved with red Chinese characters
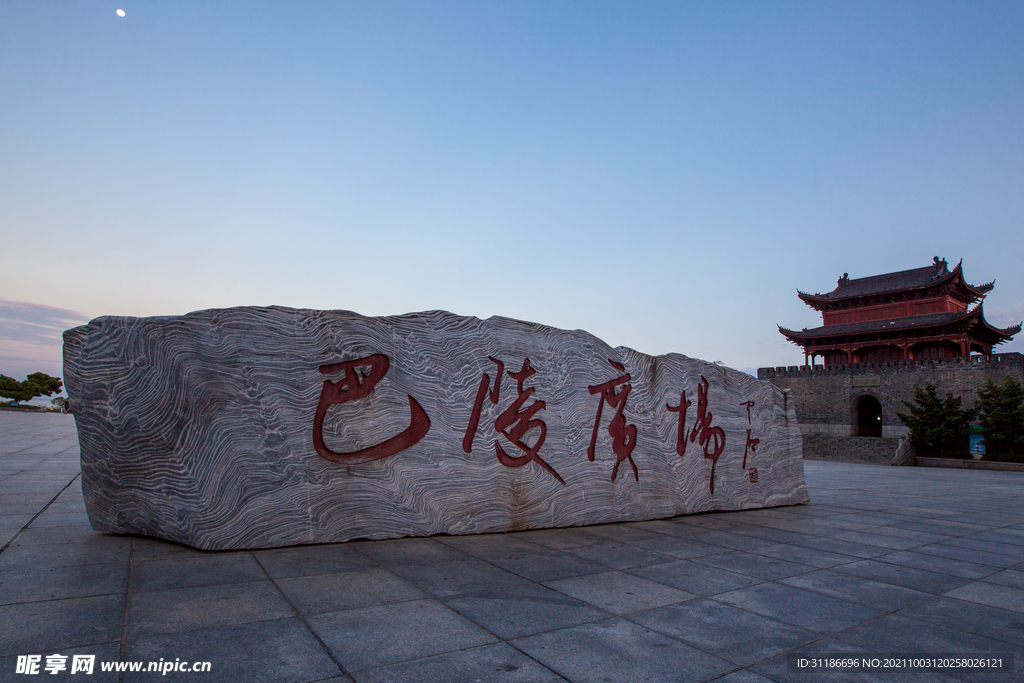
x=200 y=430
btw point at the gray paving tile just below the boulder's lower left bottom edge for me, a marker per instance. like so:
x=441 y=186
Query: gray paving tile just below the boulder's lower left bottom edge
x=204 y=571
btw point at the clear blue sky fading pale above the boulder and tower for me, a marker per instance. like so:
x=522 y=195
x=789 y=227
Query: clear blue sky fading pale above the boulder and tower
x=663 y=176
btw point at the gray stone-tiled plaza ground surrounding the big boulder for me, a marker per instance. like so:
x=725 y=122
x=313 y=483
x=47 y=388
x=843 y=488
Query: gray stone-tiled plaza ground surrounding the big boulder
x=884 y=561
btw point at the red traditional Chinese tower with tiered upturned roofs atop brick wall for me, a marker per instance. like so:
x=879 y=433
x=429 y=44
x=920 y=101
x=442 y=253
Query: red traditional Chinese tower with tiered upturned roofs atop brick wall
x=928 y=314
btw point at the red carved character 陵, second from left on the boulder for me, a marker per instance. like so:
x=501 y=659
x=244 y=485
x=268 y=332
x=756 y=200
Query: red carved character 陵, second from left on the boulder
x=515 y=422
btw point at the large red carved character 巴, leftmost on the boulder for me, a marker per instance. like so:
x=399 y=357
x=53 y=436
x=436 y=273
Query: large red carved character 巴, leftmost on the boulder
x=358 y=386
